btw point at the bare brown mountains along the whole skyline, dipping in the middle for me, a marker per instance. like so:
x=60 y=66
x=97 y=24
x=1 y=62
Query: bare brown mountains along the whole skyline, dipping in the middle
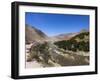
x=34 y=34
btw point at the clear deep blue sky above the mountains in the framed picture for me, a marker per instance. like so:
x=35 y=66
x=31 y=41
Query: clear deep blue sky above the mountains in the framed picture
x=55 y=24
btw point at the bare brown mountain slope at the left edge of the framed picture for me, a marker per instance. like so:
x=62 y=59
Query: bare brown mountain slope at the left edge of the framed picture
x=34 y=34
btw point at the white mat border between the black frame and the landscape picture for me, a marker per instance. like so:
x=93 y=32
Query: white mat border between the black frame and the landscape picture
x=24 y=71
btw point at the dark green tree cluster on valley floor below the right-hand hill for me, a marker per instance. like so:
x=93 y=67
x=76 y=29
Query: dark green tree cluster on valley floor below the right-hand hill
x=73 y=45
